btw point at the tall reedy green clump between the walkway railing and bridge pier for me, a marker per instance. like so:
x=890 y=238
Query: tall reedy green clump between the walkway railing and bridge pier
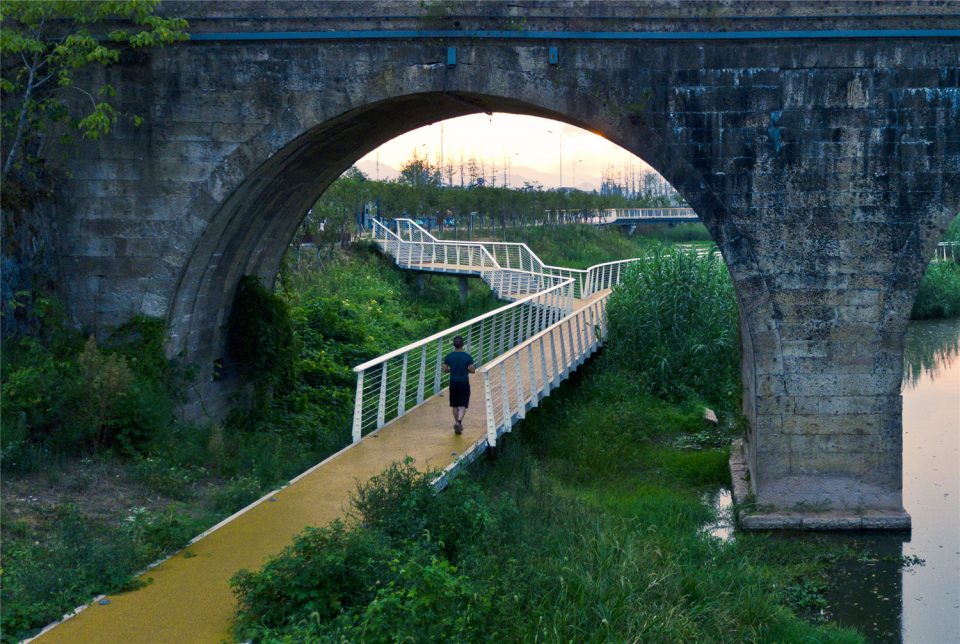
x=673 y=322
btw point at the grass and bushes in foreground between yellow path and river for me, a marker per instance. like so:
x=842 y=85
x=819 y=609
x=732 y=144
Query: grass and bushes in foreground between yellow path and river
x=536 y=559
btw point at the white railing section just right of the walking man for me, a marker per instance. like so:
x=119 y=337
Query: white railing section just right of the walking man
x=520 y=378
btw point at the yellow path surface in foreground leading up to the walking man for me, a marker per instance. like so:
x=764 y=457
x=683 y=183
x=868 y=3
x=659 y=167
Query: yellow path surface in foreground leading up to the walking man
x=189 y=599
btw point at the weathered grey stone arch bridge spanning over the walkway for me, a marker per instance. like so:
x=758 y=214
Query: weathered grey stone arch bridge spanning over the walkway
x=820 y=144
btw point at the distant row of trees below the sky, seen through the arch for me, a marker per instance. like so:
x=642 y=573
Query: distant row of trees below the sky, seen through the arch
x=420 y=192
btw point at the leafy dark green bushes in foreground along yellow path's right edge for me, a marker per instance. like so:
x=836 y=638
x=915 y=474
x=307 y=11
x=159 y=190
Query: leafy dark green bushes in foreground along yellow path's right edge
x=391 y=577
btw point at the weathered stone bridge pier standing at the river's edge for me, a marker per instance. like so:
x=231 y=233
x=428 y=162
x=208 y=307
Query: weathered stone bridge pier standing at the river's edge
x=825 y=295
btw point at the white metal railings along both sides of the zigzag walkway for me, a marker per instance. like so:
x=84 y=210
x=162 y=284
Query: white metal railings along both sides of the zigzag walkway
x=540 y=321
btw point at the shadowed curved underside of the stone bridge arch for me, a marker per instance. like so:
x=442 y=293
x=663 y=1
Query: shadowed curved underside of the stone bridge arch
x=252 y=229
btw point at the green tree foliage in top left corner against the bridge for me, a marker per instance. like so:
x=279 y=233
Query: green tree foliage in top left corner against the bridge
x=45 y=45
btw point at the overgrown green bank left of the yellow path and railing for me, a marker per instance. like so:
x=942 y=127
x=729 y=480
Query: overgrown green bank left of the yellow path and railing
x=69 y=404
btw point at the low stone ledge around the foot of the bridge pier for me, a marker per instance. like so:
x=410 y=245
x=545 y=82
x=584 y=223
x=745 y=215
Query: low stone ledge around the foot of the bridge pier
x=751 y=516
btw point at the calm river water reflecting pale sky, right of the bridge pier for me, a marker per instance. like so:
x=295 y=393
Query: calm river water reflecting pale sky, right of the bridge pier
x=917 y=603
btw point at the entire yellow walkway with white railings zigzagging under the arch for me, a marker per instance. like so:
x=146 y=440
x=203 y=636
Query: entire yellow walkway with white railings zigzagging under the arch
x=553 y=322
